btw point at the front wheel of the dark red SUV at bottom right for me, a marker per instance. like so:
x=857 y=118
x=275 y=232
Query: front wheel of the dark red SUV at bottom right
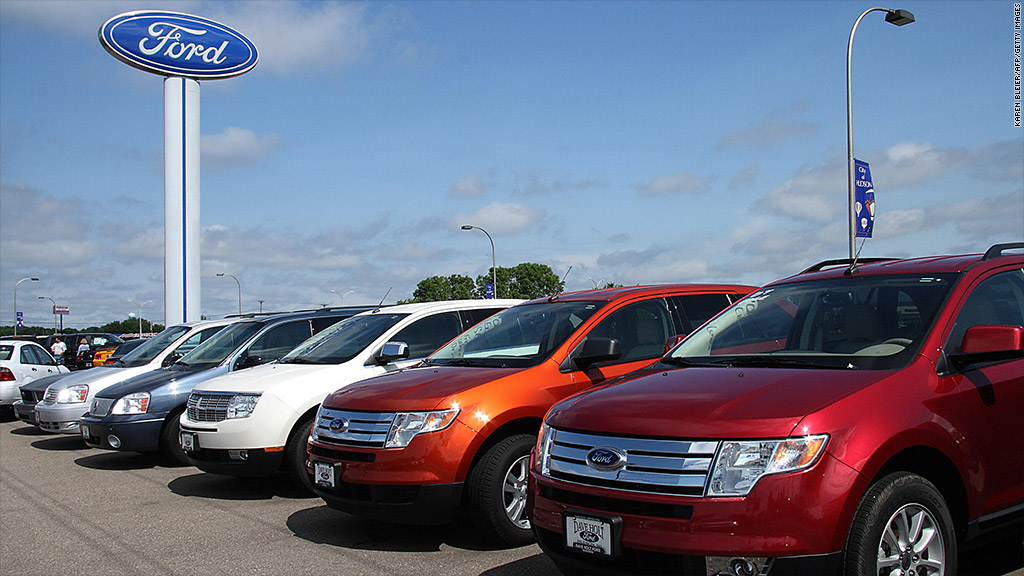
x=902 y=523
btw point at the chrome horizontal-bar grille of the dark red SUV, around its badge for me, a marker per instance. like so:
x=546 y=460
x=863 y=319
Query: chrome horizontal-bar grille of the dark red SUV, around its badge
x=653 y=466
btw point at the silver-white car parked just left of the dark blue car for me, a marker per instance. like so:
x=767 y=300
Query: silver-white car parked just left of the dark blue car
x=68 y=400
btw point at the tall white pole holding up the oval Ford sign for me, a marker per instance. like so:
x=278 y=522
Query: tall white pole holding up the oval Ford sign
x=182 y=195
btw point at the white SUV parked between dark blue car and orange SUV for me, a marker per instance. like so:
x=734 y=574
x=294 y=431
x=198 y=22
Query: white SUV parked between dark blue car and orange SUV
x=257 y=423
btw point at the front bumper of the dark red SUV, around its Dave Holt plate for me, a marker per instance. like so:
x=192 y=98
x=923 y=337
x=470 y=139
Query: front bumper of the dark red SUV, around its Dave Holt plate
x=797 y=521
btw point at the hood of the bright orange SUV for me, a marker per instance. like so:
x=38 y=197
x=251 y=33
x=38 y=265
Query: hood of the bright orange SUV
x=415 y=389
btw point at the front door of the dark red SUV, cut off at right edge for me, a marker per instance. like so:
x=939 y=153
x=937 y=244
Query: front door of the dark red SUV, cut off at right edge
x=991 y=396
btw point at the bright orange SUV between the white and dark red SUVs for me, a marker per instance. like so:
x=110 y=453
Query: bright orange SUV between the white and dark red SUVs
x=414 y=446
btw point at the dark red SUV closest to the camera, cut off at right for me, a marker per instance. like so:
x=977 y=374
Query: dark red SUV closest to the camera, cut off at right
x=846 y=421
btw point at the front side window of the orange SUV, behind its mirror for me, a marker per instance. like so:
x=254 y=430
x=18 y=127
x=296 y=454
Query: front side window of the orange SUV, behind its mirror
x=642 y=328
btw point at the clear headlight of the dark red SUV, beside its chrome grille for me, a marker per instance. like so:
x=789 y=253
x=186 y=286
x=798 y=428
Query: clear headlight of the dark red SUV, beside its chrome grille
x=740 y=466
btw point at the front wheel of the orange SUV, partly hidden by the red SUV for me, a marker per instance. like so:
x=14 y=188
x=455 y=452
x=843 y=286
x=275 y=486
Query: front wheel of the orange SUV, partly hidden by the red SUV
x=497 y=490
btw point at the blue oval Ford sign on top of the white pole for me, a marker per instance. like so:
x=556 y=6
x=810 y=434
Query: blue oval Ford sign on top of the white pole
x=177 y=45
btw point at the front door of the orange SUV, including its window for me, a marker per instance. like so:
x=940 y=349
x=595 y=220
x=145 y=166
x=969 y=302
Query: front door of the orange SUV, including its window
x=643 y=330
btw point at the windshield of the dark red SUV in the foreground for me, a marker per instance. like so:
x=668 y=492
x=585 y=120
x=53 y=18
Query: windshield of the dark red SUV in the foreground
x=855 y=323
